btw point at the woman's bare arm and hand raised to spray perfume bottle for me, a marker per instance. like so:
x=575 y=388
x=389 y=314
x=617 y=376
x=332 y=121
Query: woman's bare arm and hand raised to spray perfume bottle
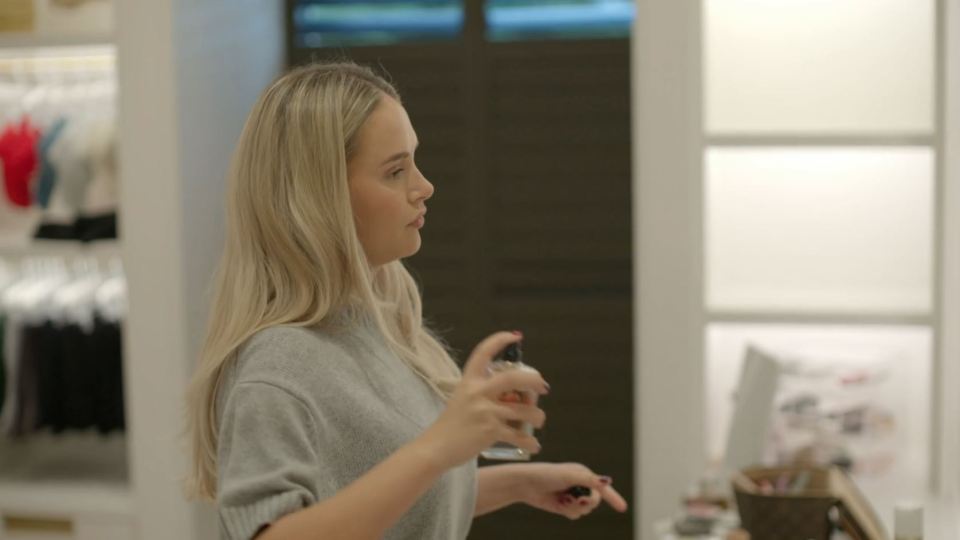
x=473 y=419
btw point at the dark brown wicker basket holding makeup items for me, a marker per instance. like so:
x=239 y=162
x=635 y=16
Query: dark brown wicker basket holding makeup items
x=785 y=516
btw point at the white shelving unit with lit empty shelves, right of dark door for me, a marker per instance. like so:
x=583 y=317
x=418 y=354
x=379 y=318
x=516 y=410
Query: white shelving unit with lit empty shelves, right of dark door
x=772 y=206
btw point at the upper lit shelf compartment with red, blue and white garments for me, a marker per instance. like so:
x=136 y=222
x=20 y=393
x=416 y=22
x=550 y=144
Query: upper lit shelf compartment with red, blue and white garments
x=57 y=144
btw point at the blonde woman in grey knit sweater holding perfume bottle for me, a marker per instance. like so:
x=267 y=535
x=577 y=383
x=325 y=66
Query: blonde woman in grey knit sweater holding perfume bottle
x=322 y=406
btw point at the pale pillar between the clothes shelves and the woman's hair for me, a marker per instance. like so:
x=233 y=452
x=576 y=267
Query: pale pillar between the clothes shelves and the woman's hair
x=189 y=71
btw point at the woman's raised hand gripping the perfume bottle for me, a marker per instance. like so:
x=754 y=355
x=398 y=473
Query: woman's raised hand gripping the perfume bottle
x=475 y=418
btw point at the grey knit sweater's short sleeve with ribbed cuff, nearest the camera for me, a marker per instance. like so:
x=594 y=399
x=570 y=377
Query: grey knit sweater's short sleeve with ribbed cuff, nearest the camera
x=268 y=461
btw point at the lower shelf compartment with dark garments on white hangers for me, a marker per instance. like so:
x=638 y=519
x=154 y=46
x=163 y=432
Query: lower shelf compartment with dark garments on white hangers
x=62 y=347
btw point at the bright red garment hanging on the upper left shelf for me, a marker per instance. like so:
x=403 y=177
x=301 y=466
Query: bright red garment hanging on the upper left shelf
x=18 y=152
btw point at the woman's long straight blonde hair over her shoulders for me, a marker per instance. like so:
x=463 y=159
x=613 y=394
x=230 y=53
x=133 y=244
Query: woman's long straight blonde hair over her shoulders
x=292 y=255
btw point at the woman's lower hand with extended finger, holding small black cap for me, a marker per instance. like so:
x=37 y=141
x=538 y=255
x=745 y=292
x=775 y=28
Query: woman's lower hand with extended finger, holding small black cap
x=545 y=487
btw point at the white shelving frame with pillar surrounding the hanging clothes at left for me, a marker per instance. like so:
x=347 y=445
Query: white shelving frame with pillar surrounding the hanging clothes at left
x=188 y=74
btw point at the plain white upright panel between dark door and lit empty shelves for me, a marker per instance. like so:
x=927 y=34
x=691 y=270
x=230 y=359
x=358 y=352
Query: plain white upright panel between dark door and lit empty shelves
x=667 y=201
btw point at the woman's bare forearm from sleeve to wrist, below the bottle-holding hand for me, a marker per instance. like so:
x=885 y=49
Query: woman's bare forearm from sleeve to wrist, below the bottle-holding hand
x=369 y=506
